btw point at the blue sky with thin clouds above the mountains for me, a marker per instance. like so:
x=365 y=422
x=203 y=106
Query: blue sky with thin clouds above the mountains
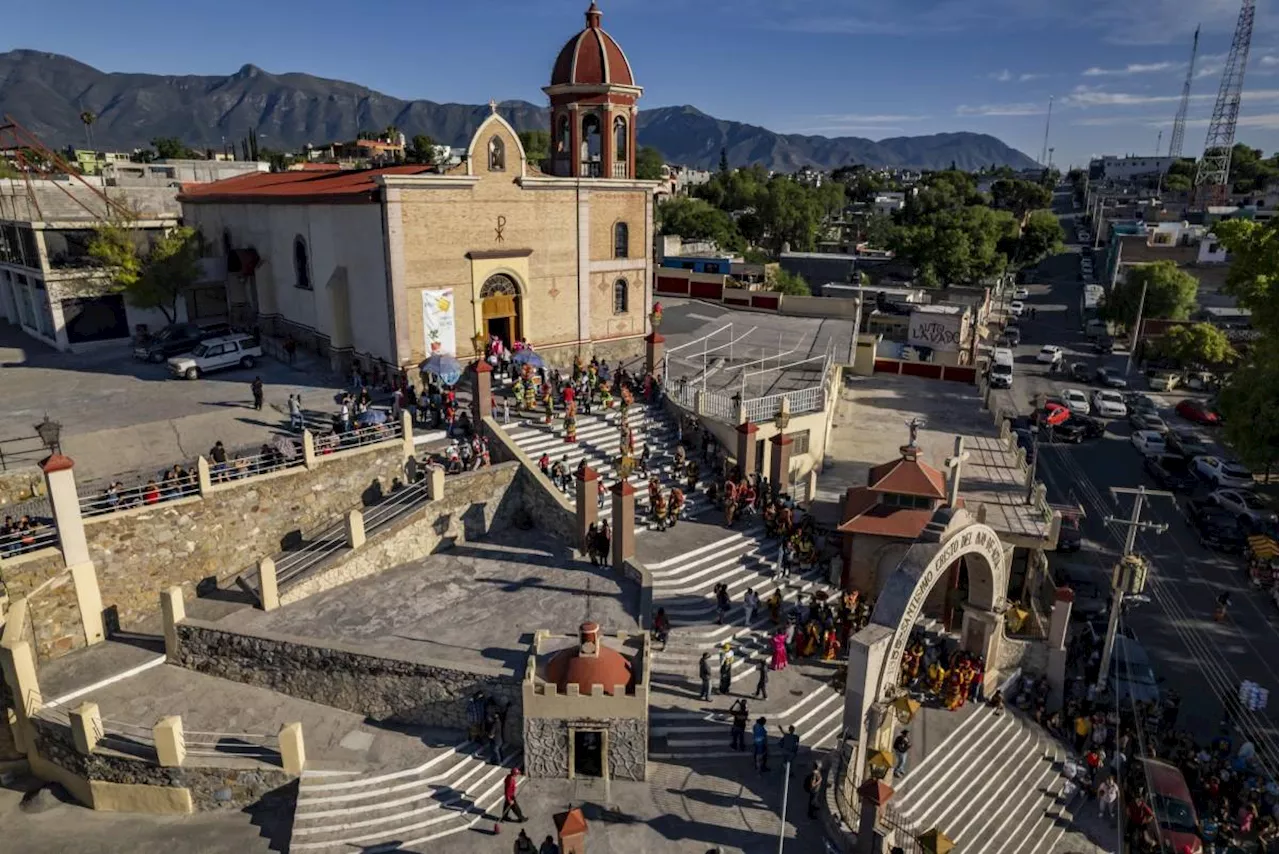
x=870 y=68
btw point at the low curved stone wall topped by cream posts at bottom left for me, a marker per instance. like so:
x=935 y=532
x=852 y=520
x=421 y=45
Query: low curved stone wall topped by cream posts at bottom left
x=212 y=788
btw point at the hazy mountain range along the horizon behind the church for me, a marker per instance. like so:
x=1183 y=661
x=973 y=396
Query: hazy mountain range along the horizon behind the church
x=48 y=93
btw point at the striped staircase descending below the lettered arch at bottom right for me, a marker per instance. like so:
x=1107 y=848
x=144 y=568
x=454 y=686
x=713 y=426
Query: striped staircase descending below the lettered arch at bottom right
x=995 y=786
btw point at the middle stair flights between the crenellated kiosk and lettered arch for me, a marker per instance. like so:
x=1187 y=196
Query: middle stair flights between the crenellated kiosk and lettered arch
x=684 y=588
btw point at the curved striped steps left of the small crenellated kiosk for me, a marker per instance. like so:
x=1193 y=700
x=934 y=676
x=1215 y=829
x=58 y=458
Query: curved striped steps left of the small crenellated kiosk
x=404 y=810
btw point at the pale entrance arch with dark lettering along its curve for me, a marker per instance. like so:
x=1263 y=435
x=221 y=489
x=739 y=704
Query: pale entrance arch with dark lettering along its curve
x=953 y=538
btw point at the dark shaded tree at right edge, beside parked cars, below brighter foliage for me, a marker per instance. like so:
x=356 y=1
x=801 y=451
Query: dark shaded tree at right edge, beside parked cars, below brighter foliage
x=1249 y=405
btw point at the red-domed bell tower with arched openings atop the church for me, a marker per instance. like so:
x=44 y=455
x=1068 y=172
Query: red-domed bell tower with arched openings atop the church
x=593 y=99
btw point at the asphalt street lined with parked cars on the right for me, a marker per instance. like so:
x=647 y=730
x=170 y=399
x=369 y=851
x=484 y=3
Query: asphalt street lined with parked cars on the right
x=1203 y=660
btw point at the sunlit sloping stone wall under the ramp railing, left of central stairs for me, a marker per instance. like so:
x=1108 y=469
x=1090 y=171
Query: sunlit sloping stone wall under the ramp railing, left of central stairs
x=474 y=504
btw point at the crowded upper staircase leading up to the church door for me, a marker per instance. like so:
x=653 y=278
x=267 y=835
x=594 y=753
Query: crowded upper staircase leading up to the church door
x=600 y=442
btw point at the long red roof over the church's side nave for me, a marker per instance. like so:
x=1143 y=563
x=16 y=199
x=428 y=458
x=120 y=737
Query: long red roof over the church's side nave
x=304 y=186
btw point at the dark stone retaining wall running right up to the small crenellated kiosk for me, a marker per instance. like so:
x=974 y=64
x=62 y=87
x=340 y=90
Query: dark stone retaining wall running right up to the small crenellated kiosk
x=417 y=692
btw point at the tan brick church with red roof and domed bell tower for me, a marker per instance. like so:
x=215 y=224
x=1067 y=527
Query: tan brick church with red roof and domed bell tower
x=390 y=266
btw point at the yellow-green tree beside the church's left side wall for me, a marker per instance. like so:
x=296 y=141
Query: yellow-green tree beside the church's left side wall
x=158 y=281
